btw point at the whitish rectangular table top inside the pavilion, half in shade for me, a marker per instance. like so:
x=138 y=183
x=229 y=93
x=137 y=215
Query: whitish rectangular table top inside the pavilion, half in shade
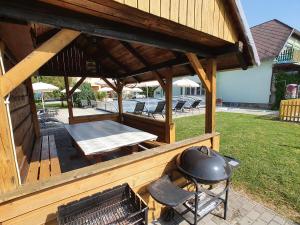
x=104 y=136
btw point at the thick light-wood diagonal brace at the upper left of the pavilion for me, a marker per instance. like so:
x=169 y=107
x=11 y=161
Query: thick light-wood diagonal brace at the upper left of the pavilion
x=31 y=63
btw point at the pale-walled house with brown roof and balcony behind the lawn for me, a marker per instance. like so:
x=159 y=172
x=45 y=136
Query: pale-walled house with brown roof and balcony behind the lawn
x=278 y=47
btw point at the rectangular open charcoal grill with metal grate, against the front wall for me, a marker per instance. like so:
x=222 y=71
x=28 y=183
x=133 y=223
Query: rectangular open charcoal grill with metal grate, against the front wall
x=119 y=205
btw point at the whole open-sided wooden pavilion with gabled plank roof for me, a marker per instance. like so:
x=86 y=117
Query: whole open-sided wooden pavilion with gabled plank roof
x=128 y=41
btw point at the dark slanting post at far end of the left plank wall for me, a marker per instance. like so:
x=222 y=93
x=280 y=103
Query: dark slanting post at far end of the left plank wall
x=35 y=120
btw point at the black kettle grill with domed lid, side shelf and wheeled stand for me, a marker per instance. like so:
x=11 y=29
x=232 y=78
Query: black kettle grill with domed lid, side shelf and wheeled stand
x=201 y=166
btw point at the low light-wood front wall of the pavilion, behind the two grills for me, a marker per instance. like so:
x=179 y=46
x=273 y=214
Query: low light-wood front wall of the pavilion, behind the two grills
x=37 y=203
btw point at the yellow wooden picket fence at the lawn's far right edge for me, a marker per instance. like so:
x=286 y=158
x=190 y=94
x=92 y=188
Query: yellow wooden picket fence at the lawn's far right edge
x=290 y=110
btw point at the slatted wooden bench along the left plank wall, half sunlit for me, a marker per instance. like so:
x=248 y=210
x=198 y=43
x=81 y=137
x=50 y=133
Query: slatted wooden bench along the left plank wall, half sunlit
x=44 y=161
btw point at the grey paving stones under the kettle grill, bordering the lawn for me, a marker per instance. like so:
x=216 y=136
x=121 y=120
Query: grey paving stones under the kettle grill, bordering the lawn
x=241 y=211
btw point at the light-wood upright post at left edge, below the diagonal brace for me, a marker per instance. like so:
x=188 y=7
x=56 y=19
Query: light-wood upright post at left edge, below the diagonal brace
x=8 y=170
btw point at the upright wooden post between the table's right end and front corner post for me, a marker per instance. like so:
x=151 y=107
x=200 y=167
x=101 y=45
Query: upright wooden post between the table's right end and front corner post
x=170 y=126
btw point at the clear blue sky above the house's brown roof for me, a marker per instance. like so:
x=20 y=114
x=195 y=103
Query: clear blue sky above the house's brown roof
x=259 y=11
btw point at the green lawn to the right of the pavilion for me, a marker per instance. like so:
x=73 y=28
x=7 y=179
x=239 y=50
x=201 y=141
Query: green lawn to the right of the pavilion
x=269 y=151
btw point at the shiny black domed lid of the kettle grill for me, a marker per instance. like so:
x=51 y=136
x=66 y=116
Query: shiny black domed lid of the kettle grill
x=203 y=164
